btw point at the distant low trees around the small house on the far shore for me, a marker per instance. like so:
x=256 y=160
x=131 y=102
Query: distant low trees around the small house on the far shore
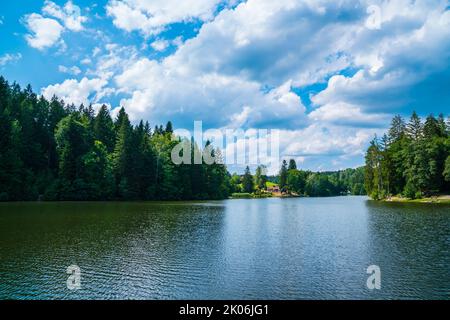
x=303 y=183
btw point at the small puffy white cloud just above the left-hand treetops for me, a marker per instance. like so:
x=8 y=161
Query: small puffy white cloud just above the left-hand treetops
x=77 y=92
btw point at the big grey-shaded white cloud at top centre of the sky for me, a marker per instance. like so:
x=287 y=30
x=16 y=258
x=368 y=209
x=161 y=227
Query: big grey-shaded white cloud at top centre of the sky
x=273 y=41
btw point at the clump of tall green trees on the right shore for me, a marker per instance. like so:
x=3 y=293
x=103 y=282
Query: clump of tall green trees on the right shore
x=411 y=160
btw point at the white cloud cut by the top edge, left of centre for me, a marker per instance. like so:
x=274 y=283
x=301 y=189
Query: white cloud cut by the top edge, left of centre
x=152 y=16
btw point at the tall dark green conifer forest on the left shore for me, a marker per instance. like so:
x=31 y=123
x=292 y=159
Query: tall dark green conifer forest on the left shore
x=53 y=151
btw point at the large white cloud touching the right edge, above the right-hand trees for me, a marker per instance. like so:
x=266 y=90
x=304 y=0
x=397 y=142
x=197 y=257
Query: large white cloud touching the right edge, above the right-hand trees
x=394 y=66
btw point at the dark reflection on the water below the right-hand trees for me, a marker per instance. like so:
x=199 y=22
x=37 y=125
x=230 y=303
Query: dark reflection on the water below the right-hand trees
x=410 y=242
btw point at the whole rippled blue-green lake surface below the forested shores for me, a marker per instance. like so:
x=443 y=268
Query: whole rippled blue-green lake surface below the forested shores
x=309 y=248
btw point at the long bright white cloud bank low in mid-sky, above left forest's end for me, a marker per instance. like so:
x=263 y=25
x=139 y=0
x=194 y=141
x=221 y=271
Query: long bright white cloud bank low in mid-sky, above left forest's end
x=160 y=91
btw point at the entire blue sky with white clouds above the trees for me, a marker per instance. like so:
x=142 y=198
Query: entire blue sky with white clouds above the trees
x=328 y=74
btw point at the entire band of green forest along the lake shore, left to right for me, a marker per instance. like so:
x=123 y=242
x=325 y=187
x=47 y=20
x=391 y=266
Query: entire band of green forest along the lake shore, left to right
x=53 y=151
